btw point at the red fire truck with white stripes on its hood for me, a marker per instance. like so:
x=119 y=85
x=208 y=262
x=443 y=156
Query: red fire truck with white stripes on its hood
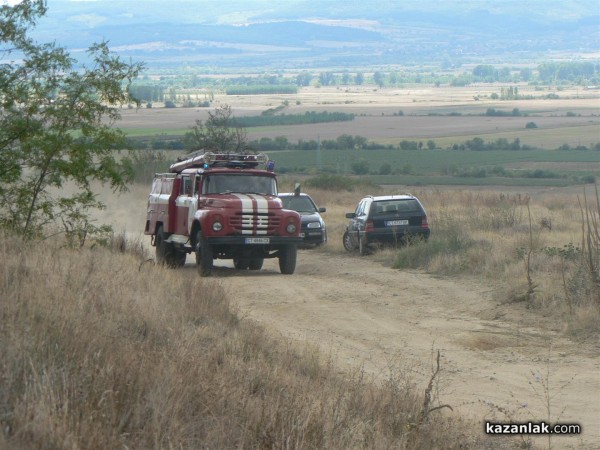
x=221 y=206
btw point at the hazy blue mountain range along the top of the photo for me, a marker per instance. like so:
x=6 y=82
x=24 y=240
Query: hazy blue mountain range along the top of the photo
x=235 y=34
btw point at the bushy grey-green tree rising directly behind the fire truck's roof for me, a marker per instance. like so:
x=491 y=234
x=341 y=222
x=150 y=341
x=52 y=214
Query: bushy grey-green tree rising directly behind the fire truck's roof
x=219 y=132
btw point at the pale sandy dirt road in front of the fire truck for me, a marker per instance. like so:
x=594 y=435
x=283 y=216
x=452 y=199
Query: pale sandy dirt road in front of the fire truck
x=366 y=315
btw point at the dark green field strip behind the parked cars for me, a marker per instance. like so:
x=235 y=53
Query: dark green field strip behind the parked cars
x=525 y=167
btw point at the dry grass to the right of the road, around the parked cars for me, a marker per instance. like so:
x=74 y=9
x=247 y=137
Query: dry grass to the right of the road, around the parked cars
x=487 y=235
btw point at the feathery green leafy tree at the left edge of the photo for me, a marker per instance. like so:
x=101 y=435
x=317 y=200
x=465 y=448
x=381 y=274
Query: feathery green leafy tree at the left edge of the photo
x=56 y=127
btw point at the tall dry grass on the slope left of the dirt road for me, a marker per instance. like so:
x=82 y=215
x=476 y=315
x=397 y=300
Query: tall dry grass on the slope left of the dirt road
x=102 y=350
